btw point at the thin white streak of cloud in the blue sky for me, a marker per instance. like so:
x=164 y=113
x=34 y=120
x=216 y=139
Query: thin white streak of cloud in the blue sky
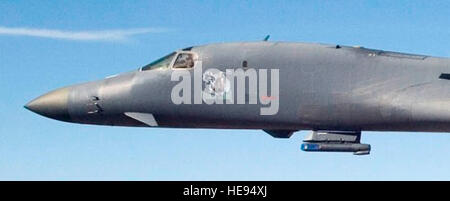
x=103 y=35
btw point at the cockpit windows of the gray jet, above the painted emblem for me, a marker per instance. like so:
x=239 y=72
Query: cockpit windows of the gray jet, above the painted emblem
x=184 y=60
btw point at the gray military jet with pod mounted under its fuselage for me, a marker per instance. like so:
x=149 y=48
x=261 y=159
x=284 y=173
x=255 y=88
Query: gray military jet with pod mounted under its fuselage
x=280 y=87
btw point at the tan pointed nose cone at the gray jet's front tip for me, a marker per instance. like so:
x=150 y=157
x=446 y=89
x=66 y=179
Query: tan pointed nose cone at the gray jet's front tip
x=52 y=105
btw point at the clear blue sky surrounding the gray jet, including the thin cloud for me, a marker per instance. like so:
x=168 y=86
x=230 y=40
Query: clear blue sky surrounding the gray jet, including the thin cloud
x=36 y=148
